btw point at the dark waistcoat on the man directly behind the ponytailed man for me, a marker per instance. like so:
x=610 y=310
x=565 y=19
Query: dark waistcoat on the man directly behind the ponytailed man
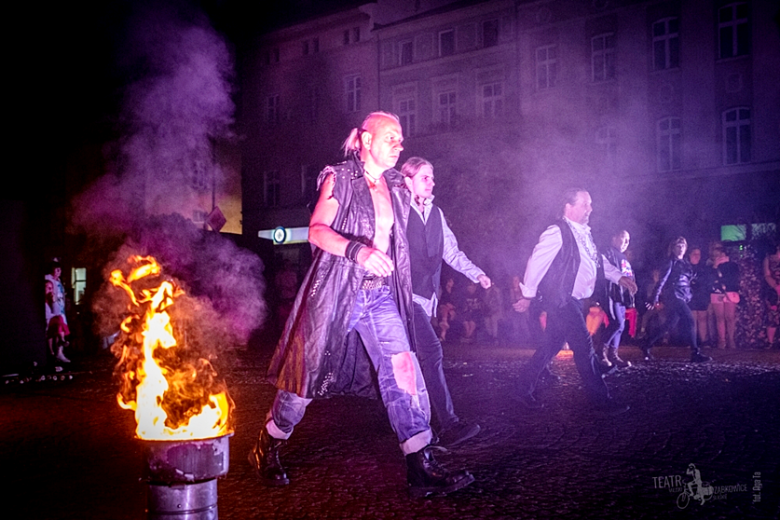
x=426 y=247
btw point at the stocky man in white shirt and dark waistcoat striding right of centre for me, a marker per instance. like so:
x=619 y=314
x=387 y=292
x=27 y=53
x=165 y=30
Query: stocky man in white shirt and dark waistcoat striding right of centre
x=562 y=271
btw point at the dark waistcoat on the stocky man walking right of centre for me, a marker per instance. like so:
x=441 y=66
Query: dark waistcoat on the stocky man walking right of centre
x=557 y=285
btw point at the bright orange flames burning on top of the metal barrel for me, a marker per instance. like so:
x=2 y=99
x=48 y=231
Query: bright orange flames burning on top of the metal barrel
x=175 y=393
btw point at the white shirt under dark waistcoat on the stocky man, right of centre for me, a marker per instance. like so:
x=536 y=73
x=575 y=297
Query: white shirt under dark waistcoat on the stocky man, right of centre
x=545 y=251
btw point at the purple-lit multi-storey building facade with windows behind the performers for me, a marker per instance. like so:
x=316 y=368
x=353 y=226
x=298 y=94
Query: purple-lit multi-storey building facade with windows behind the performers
x=668 y=112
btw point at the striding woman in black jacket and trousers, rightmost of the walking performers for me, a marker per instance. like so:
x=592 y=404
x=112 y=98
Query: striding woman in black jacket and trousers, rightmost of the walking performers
x=674 y=291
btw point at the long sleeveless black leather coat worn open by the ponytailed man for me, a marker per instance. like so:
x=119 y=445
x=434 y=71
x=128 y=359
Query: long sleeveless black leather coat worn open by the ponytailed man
x=313 y=357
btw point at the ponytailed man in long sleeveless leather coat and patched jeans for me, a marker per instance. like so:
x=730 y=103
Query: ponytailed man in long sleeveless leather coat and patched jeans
x=354 y=311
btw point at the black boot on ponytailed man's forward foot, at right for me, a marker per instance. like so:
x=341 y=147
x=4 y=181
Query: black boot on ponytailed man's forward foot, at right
x=425 y=476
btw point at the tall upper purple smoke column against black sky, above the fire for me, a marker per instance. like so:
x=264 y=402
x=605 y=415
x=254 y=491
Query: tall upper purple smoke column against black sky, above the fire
x=176 y=105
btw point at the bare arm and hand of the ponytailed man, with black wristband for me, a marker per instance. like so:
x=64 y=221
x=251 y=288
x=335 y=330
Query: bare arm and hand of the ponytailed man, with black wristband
x=324 y=237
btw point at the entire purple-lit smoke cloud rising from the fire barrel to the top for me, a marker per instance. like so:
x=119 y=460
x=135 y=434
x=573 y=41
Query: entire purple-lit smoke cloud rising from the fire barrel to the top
x=176 y=106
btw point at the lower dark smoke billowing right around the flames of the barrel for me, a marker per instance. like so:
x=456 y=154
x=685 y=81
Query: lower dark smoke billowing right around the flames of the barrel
x=224 y=282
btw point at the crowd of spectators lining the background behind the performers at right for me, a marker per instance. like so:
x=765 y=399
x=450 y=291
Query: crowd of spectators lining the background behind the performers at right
x=722 y=293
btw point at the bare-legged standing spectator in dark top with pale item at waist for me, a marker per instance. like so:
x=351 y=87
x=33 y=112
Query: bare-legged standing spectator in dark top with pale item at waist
x=724 y=296
